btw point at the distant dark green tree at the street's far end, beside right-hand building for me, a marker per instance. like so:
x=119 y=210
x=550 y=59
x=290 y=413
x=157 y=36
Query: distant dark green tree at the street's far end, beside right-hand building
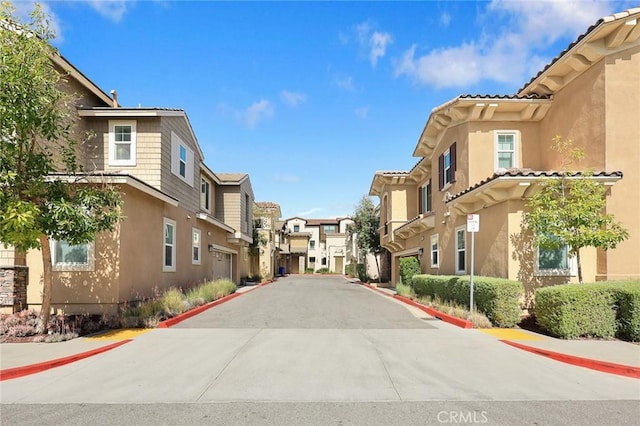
x=366 y=222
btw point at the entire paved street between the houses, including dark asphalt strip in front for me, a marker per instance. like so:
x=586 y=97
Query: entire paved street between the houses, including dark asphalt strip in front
x=318 y=350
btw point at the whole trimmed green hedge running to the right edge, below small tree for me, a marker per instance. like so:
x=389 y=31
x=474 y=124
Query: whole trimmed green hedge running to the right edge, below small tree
x=604 y=310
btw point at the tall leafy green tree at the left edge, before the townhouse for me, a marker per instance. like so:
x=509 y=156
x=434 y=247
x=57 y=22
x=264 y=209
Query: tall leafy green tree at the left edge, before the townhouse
x=44 y=192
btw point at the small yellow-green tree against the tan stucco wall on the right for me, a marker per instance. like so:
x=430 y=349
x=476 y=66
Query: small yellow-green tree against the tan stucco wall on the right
x=571 y=210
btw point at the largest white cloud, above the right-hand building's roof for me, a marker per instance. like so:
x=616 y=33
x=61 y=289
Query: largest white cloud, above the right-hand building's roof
x=509 y=49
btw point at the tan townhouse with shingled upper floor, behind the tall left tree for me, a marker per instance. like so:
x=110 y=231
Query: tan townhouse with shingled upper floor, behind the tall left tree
x=182 y=223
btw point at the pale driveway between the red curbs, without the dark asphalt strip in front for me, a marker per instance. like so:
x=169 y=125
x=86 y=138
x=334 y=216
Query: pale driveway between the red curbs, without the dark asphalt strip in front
x=317 y=340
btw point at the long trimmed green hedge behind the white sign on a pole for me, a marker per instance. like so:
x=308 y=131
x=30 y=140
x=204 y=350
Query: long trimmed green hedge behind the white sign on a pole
x=497 y=298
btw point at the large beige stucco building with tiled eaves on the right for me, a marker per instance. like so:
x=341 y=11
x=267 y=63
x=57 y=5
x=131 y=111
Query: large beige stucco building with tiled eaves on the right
x=485 y=155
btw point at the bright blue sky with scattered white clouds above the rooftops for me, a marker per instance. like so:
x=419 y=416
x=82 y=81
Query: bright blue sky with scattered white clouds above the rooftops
x=311 y=98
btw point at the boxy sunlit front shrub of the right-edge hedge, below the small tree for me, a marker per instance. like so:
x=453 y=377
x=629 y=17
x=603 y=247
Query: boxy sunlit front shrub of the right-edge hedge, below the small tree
x=576 y=310
